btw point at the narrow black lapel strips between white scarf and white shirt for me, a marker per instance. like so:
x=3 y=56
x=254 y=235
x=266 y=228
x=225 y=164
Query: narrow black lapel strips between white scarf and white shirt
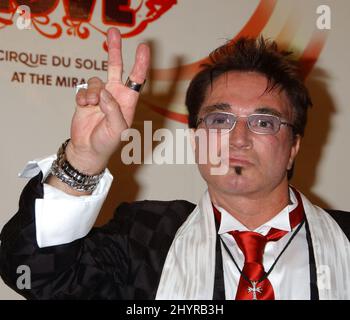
x=219 y=285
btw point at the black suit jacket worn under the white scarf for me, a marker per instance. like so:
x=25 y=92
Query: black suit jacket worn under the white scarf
x=121 y=260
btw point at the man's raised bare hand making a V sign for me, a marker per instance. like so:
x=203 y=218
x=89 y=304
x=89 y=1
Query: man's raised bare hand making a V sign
x=104 y=110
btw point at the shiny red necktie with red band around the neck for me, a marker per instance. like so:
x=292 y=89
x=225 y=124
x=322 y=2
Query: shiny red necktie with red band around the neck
x=252 y=245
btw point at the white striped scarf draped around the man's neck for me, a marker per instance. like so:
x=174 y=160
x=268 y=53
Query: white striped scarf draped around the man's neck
x=189 y=269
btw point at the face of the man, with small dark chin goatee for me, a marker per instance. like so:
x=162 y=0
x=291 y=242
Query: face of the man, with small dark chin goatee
x=263 y=159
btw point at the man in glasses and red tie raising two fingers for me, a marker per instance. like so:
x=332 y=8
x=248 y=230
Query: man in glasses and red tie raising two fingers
x=251 y=236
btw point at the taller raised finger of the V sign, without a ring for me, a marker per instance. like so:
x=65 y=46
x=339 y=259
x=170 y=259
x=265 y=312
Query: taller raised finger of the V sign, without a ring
x=115 y=61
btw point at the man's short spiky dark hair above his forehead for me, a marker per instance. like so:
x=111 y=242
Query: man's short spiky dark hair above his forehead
x=252 y=55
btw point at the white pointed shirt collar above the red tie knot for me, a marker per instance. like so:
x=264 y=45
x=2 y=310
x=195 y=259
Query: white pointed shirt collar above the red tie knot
x=280 y=221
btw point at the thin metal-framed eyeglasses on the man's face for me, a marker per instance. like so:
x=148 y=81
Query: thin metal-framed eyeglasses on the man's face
x=257 y=123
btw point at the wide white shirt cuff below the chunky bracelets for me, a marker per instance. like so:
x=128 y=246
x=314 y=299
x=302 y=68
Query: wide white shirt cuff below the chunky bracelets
x=62 y=218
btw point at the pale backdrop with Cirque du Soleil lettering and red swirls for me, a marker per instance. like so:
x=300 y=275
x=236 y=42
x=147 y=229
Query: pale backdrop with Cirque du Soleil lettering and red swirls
x=47 y=47
